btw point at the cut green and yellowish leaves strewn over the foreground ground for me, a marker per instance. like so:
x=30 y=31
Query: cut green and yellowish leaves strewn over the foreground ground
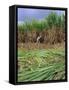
x=44 y=64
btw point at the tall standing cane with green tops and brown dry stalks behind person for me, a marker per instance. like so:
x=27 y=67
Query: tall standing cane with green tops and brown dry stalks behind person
x=51 y=29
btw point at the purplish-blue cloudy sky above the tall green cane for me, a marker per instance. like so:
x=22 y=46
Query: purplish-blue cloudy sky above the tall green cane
x=38 y=14
